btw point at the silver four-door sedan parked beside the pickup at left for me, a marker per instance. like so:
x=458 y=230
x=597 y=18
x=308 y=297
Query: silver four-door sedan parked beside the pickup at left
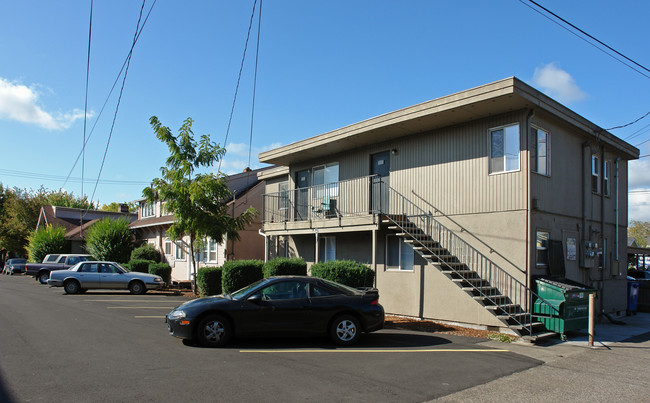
x=103 y=275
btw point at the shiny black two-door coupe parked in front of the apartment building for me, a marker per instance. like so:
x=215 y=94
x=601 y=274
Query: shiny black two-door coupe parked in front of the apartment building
x=286 y=305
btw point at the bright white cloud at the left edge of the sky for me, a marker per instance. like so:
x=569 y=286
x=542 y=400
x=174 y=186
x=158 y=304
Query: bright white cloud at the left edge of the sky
x=20 y=103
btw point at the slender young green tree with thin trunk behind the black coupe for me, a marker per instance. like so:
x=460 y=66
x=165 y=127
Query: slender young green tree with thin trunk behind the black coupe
x=197 y=201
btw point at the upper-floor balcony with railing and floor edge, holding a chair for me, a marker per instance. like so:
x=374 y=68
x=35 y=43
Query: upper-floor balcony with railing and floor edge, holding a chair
x=345 y=203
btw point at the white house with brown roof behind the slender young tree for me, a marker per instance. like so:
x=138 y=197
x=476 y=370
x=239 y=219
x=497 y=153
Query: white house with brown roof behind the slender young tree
x=153 y=222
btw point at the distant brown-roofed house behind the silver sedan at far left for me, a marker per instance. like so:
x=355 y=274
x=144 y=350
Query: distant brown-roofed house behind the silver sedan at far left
x=71 y=218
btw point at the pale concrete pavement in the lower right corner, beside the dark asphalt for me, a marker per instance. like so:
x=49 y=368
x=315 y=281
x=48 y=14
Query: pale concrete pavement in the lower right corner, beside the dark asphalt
x=617 y=368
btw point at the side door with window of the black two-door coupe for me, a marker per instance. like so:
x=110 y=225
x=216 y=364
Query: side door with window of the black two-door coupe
x=282 y=308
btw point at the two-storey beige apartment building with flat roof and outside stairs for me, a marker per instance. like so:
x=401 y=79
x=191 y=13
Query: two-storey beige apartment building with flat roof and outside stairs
x=459 y=202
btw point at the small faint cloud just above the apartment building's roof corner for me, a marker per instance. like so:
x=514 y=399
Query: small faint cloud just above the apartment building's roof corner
x=557 y=84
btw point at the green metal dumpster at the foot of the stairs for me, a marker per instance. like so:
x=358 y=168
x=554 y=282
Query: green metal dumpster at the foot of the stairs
x=562 y=305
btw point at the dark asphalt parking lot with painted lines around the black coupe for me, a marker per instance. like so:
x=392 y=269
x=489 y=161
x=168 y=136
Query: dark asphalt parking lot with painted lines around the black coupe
x=113 y=346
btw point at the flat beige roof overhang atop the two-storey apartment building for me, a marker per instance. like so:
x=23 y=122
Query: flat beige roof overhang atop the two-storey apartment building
x=510 y=94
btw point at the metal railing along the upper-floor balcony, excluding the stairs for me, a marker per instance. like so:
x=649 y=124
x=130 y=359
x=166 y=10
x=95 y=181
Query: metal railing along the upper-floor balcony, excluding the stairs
x=348 y=198
